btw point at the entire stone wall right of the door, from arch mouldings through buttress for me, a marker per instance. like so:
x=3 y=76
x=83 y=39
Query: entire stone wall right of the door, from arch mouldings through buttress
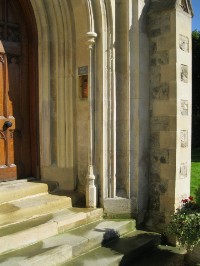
x=134 y=120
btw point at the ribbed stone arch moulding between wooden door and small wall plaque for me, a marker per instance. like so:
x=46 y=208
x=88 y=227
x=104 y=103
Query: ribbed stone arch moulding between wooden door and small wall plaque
x=57 y=91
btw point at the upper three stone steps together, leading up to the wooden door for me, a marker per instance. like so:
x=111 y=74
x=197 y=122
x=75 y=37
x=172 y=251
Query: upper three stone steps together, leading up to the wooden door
x=28 y=215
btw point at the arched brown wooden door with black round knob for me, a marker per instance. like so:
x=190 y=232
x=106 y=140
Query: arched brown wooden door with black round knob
x=18 y=132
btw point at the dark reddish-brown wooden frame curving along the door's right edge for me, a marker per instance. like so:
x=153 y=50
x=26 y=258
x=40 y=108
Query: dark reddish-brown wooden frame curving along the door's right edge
x=32 y=34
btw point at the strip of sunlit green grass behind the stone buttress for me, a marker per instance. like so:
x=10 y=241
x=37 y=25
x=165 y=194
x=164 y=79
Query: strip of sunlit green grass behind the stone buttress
x=195 y=171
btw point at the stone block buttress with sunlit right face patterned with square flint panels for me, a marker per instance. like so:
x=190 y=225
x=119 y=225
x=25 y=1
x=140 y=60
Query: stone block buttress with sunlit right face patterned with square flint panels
x=170 y=109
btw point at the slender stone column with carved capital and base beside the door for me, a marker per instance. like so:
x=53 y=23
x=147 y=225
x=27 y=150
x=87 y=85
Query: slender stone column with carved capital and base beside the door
x=90 y=186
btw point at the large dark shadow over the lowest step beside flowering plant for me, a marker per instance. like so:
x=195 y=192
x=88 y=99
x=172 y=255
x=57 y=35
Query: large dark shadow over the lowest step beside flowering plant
x=142 y=250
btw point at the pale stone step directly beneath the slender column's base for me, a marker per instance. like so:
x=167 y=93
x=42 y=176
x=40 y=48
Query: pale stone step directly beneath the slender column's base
x=34 y=230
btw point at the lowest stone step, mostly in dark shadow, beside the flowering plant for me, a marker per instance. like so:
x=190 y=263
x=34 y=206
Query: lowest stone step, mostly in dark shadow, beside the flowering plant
x=128 y=251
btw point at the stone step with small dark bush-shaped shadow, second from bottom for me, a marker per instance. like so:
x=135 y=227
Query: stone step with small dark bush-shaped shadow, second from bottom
x=61 y=248
